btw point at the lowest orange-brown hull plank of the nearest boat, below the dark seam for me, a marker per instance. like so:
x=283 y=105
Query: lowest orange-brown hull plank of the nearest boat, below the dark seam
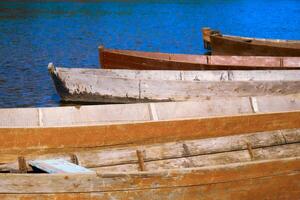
x=283 y=187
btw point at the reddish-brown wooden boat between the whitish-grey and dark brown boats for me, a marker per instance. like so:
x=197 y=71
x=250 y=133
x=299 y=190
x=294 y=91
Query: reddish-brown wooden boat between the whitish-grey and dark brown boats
x=126 y=59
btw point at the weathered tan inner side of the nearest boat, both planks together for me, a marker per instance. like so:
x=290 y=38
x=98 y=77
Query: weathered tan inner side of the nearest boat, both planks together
x=202 y=149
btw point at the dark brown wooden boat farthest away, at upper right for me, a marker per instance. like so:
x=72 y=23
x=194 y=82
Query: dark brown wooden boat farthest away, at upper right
x=244 y=46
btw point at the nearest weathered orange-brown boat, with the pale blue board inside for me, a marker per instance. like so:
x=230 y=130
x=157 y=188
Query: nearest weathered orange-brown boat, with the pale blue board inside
x=231 y=167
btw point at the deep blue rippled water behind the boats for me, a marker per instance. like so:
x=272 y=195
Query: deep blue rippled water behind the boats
x=32 y=34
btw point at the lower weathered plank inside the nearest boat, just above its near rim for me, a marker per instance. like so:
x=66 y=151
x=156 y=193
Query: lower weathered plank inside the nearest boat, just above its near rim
x=266 y=153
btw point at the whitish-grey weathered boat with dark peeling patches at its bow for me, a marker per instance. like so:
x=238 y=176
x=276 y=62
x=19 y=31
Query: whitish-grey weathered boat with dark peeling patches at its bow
x=125 y=86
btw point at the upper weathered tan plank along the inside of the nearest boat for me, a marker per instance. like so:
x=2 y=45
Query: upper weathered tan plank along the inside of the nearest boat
x=126 y=155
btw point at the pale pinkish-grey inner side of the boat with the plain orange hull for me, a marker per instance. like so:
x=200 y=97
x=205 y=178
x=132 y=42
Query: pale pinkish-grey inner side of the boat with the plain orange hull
x=103 y=114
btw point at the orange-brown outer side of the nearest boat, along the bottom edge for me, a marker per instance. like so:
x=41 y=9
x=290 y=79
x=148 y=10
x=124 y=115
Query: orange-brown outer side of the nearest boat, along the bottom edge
x=266 y=179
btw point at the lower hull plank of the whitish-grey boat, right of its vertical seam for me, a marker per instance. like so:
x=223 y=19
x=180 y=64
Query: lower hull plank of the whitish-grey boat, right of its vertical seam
x=177 y=91
